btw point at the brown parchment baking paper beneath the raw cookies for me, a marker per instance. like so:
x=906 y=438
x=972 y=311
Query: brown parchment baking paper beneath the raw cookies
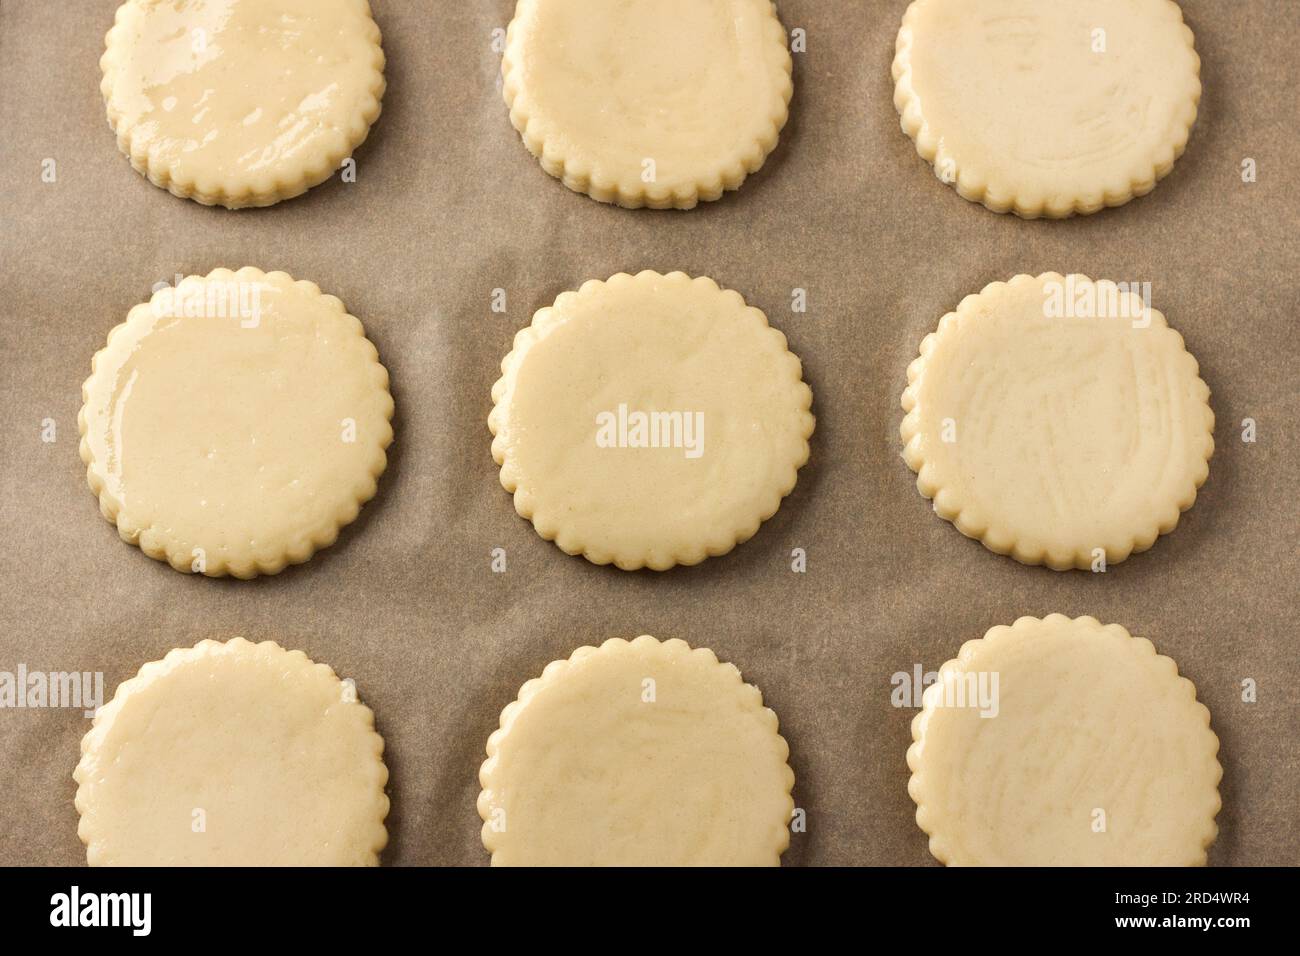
x=448 y=207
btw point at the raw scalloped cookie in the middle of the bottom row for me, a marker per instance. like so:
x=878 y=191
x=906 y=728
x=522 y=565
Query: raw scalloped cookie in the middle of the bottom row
x=640 y=754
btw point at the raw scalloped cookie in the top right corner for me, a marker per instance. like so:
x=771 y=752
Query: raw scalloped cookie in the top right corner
x=1048 y=109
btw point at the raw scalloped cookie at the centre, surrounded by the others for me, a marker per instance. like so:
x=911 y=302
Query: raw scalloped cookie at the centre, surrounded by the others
x=618 y=367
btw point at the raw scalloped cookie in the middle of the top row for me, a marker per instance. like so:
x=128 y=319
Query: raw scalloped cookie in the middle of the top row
x=657 y=103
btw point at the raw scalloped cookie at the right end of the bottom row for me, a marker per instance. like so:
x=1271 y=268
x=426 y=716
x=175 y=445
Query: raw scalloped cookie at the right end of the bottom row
x=1064 y=743
